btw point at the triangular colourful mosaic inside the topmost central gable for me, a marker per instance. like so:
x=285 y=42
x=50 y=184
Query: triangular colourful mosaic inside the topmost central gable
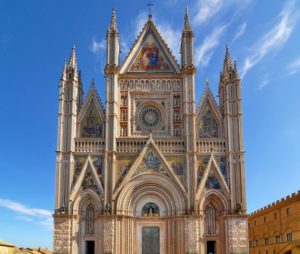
x=150 y=58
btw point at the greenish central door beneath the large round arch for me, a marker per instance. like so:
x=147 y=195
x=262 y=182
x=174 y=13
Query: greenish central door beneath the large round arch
x=150 y=240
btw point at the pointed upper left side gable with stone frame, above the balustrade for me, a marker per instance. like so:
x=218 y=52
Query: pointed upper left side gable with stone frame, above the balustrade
x=91 y=116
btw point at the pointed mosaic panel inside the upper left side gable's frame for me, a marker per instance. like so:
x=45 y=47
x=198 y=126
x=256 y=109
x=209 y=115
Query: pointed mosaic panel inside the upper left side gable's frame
x=91 y=126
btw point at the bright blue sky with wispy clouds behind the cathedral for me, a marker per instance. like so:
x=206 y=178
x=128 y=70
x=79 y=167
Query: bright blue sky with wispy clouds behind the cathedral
x=36 y=36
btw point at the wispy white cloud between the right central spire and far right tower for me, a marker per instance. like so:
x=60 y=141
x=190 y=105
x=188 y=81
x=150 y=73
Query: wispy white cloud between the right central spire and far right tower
x=204 y=52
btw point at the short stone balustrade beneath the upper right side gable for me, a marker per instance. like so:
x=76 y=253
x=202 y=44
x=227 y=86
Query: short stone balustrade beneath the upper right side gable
x=207 y=145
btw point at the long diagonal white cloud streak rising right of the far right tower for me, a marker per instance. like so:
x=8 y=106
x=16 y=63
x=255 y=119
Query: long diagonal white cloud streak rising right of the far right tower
x=274 y=38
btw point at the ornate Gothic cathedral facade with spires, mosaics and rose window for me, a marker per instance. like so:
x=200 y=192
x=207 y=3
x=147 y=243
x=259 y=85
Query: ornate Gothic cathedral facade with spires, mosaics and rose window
x=150 y=172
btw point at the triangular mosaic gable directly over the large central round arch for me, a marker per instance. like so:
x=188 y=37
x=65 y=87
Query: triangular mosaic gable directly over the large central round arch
x=158 y=164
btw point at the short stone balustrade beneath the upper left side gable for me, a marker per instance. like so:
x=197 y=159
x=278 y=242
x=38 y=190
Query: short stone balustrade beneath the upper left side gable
x=89 y=145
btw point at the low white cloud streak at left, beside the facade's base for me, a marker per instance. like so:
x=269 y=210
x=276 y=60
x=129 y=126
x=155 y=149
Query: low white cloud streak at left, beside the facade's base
x=40 y=216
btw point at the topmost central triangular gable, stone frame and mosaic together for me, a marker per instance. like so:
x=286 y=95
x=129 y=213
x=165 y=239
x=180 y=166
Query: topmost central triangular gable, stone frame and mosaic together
x=150 y=54
